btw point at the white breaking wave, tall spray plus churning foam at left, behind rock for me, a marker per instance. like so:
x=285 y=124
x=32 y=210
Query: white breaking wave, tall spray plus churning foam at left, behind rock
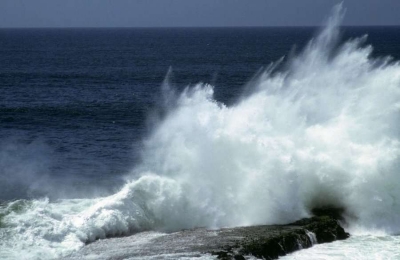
x=322 y=132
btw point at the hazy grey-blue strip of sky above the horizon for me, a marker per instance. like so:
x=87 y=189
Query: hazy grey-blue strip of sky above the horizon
x=158 y=13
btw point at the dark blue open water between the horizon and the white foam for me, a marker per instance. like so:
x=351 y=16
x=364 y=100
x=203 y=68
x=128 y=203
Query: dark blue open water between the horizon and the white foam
x=76 y=104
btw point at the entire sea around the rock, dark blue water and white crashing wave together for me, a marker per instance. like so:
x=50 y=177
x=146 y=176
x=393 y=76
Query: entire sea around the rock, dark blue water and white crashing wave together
x=108 y=132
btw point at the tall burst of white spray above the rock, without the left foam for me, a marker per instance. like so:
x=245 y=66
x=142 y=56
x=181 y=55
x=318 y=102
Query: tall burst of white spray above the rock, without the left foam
x=322 y=132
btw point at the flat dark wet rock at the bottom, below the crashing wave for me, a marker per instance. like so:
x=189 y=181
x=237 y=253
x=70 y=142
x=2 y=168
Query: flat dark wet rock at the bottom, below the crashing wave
x=265 y=241
